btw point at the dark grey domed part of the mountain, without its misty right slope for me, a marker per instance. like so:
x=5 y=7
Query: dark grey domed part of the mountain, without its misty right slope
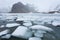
x=19 y=8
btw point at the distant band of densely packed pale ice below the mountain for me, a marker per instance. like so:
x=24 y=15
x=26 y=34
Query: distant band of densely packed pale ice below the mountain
x=29 y=16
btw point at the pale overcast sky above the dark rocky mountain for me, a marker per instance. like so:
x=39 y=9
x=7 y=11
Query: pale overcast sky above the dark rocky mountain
x=42 y=5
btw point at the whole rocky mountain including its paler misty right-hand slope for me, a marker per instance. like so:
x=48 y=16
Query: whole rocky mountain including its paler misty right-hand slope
x=21 y=8
